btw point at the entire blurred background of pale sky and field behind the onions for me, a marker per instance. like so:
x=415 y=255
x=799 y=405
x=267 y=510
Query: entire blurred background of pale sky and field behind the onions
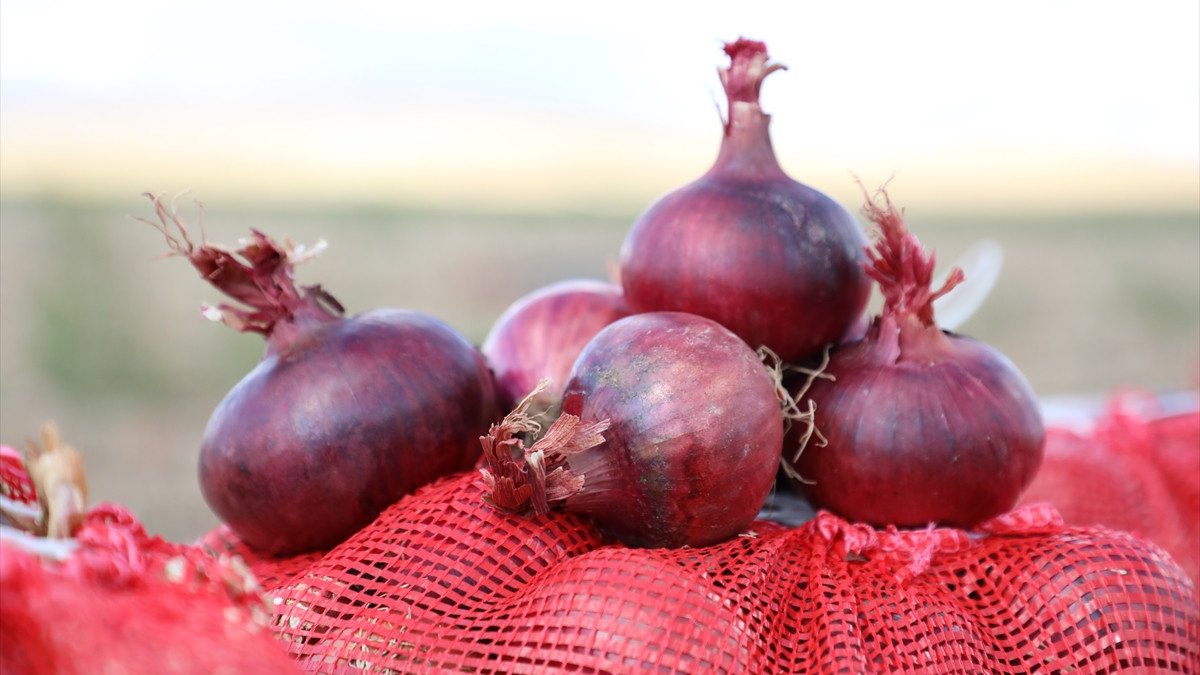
x=458 y=157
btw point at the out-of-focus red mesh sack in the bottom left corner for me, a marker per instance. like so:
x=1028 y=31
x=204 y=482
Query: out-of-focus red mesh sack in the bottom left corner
x=116 y=600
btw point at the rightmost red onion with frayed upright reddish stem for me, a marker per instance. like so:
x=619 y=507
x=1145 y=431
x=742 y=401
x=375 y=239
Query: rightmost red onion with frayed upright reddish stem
x=920 y=426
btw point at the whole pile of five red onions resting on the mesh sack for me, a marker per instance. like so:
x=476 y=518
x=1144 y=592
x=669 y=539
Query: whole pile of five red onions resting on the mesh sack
x=668 y=428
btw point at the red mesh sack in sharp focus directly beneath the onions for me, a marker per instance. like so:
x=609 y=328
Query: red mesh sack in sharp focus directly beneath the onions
x=443 y=583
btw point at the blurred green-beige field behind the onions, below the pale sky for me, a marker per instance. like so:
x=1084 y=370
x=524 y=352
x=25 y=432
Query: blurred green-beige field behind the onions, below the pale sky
x=100 y=336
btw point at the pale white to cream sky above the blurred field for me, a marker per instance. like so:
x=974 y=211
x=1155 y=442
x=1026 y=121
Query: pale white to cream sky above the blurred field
x=559 y=105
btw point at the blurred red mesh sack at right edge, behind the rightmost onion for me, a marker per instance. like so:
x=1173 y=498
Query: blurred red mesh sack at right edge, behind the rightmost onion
x=1137 y=469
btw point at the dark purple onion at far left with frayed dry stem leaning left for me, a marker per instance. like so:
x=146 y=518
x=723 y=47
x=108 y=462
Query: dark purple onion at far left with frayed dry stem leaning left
x=344 y=415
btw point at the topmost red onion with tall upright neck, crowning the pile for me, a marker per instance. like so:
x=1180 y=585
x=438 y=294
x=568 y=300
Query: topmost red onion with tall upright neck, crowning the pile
x=777 y=262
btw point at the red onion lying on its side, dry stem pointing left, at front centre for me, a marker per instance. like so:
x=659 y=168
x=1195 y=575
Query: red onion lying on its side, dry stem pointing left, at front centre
x=670 y=435
